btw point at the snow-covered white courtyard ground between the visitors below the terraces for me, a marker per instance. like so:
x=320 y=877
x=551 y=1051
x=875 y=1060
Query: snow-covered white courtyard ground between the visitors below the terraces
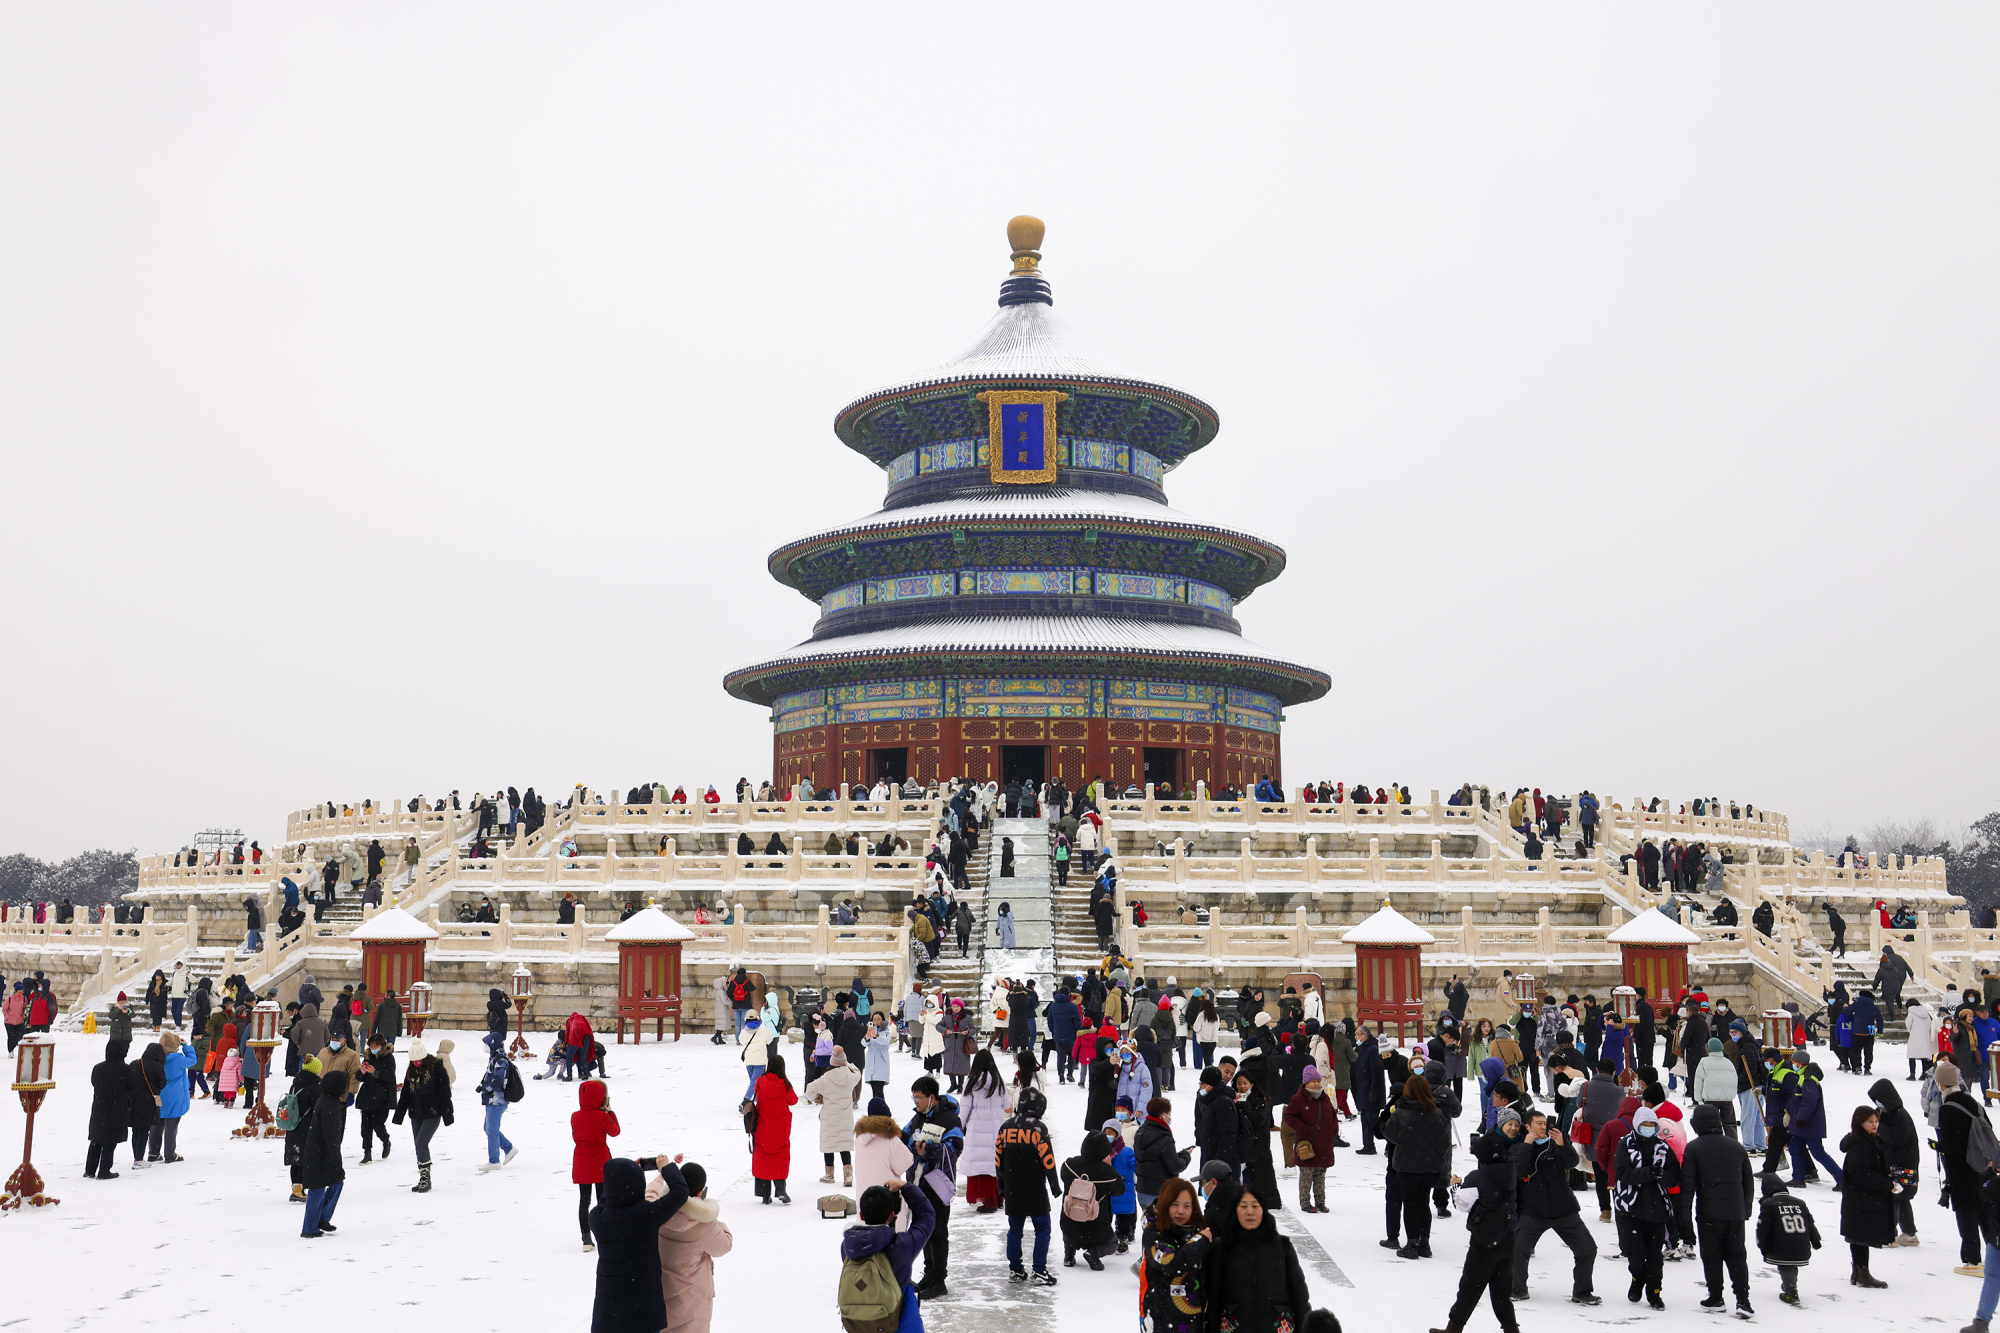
x=217 y=1240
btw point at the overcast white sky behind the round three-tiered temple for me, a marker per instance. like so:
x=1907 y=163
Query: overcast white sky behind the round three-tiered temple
x=405 y=397
